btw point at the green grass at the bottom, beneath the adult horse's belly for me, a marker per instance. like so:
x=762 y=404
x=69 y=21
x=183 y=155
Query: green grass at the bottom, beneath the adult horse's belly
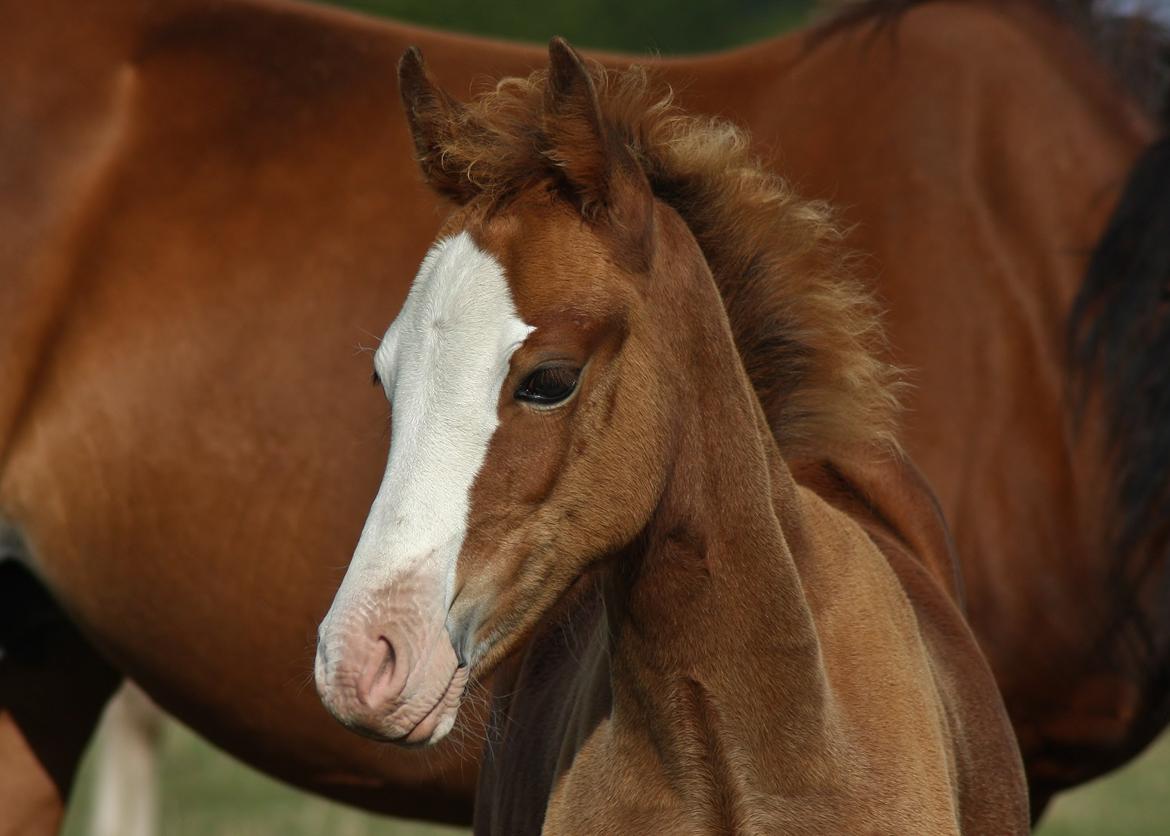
x=207 y=793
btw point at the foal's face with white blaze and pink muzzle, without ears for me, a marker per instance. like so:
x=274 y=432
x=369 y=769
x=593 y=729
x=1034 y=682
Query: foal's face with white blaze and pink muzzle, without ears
x=528 y=440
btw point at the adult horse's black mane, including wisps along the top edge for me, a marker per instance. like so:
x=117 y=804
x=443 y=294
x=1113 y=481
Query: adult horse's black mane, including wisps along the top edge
x=1118 y=336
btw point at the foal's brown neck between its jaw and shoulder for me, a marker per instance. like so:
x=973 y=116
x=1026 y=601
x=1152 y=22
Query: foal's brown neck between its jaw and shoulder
x=713 y=647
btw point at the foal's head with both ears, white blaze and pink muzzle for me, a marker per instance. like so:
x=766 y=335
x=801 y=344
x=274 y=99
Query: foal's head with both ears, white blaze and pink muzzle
x=555 y=334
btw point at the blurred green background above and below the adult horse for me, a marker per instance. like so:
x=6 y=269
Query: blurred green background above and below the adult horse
x=205 y=793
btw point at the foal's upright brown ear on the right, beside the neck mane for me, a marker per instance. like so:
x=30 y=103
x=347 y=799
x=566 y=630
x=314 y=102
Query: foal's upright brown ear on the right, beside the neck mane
x=595 y=161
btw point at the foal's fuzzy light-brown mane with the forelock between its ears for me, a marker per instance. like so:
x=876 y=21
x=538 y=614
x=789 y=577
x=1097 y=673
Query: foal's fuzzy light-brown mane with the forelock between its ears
x=809 y=333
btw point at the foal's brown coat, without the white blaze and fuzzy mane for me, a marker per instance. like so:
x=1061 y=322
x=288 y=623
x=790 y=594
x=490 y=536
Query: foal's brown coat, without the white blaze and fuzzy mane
x=735 y=626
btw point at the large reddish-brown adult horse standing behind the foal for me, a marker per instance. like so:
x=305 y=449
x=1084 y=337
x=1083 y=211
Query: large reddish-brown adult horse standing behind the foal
x=207 y=206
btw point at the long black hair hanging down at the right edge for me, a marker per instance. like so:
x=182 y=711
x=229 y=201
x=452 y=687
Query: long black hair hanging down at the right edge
x=1119 y=340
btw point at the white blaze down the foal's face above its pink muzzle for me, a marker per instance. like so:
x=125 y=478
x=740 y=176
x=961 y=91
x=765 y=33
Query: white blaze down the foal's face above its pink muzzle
x=443 y=363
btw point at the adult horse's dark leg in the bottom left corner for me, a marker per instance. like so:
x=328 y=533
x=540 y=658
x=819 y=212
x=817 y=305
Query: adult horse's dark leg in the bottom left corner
x=53 y=688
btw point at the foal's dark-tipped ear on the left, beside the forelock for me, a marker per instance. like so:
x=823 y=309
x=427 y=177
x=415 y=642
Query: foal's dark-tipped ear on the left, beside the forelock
x=432 y=116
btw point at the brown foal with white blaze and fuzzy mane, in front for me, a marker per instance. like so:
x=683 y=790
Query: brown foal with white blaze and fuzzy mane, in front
x=697 y=625
